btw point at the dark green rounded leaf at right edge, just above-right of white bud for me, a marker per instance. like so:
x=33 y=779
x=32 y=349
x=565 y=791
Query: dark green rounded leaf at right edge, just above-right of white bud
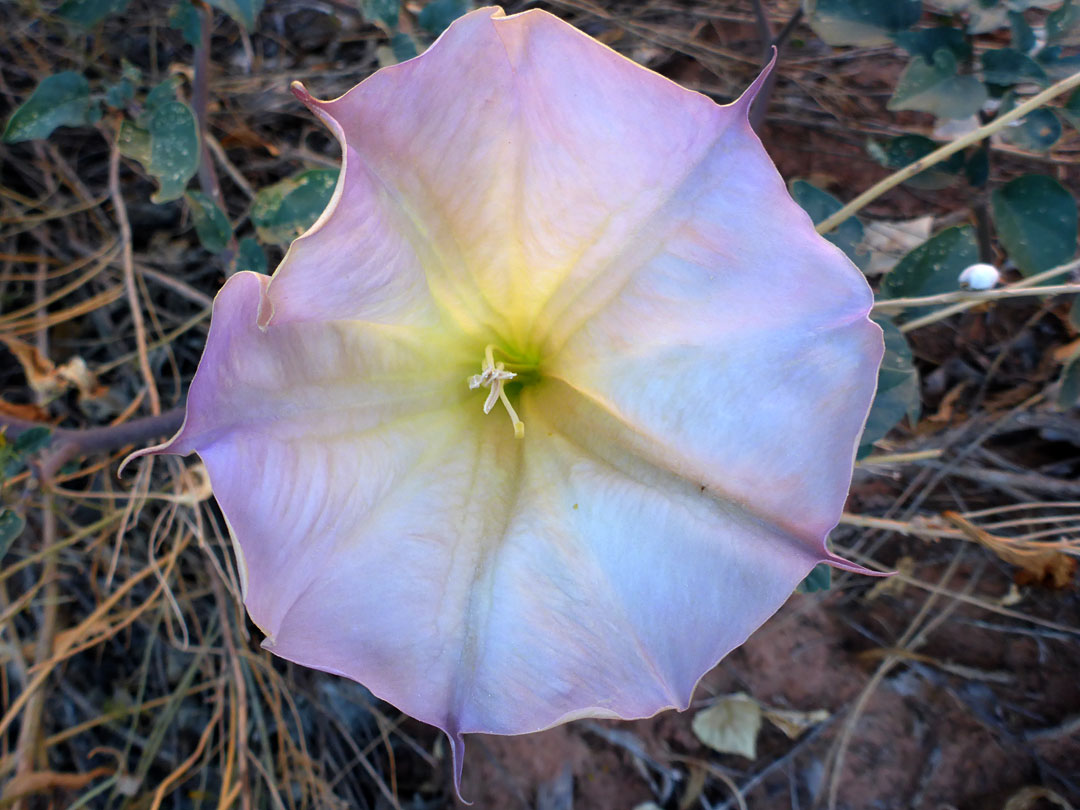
x=1036 y=219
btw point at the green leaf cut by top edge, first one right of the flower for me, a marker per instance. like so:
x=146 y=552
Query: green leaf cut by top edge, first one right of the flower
x=861 y=22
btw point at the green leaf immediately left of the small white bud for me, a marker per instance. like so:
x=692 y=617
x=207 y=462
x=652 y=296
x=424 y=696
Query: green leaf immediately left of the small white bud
x=934 y=267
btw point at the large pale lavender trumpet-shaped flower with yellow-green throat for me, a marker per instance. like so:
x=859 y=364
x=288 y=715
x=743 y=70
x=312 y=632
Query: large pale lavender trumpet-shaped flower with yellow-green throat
x=677 y=368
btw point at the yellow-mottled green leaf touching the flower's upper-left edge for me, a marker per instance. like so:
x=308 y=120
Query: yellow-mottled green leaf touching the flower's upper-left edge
x=285 y=211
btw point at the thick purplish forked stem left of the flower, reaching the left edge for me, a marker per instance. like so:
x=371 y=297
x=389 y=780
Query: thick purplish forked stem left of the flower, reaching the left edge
x=69 y=444
